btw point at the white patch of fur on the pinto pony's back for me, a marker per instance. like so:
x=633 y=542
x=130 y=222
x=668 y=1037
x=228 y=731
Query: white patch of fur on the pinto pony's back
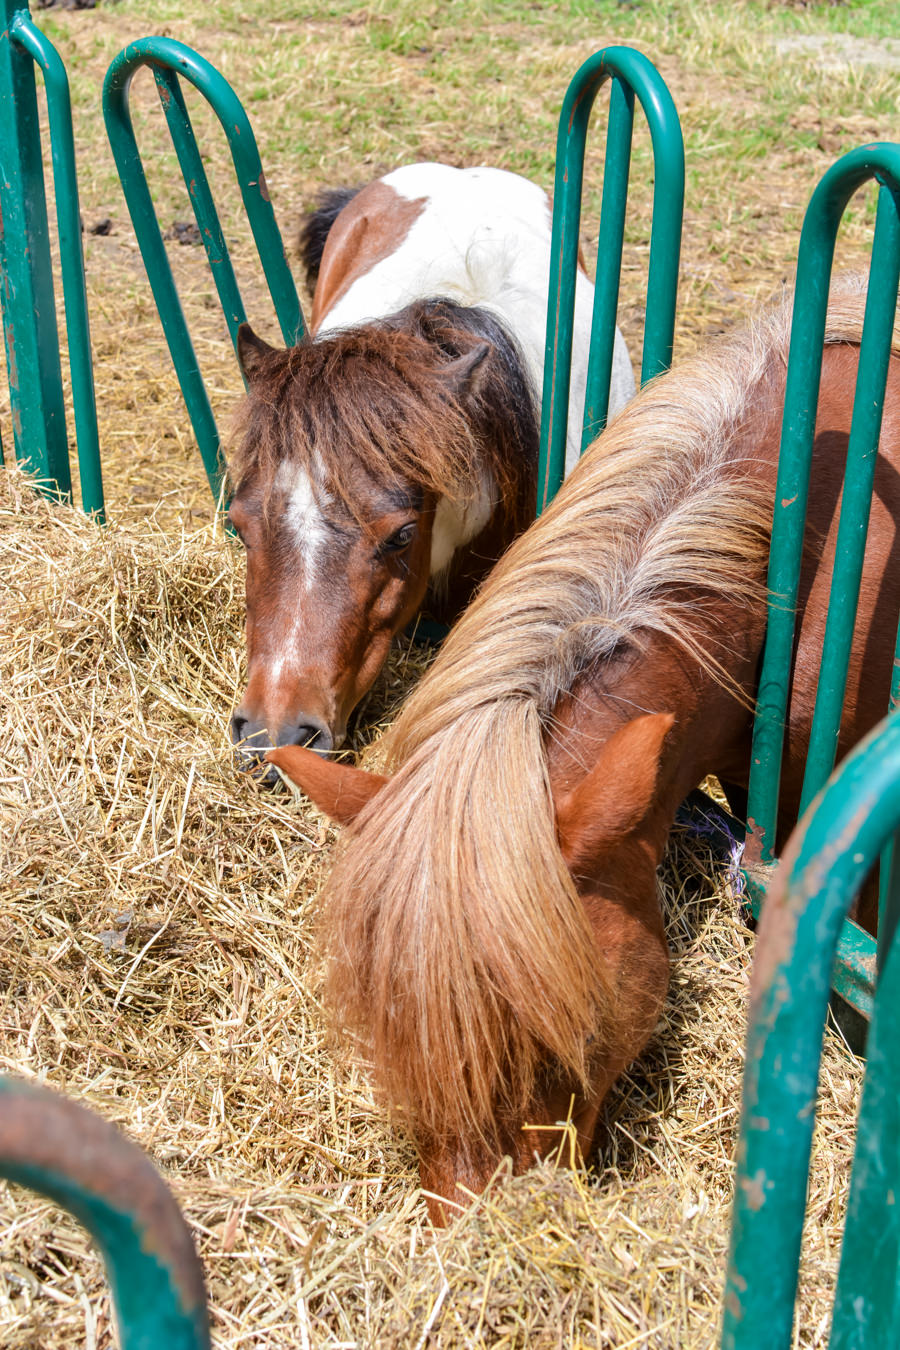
x=484 y=240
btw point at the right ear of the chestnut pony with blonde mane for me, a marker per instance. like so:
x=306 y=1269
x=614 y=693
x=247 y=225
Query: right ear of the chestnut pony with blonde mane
x=617 y=794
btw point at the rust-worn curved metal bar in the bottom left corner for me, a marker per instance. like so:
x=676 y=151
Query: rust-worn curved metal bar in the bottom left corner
x=82 y=1163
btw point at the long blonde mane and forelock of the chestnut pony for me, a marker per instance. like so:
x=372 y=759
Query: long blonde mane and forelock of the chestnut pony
x=461 y=955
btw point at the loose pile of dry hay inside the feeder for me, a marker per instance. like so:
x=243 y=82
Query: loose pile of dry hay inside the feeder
x=156 y=961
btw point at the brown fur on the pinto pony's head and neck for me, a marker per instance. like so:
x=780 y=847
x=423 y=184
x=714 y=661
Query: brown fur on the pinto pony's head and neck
x=392 y=425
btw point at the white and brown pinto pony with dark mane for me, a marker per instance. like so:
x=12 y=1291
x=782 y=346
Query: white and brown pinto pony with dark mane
x=395 y=453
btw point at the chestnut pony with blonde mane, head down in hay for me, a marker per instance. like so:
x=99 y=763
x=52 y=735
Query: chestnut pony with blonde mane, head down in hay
x=493 y=927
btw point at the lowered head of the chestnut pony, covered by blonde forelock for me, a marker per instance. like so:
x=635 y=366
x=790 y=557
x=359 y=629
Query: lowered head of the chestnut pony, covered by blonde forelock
x=492 y=1031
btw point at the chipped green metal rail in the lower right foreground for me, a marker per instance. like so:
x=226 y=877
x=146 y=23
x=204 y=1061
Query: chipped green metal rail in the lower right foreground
x=825 y=866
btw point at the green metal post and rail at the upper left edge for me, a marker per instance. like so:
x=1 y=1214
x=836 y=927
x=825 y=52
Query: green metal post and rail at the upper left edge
x=26 y=280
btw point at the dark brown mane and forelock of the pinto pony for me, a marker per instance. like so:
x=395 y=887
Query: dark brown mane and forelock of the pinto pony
x=376 y=398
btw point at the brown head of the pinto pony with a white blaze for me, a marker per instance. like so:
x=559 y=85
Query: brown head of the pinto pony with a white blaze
x=353 y=481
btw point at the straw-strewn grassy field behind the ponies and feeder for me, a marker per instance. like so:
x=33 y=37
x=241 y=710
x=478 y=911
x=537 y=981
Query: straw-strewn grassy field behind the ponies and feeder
x=342 y=92
